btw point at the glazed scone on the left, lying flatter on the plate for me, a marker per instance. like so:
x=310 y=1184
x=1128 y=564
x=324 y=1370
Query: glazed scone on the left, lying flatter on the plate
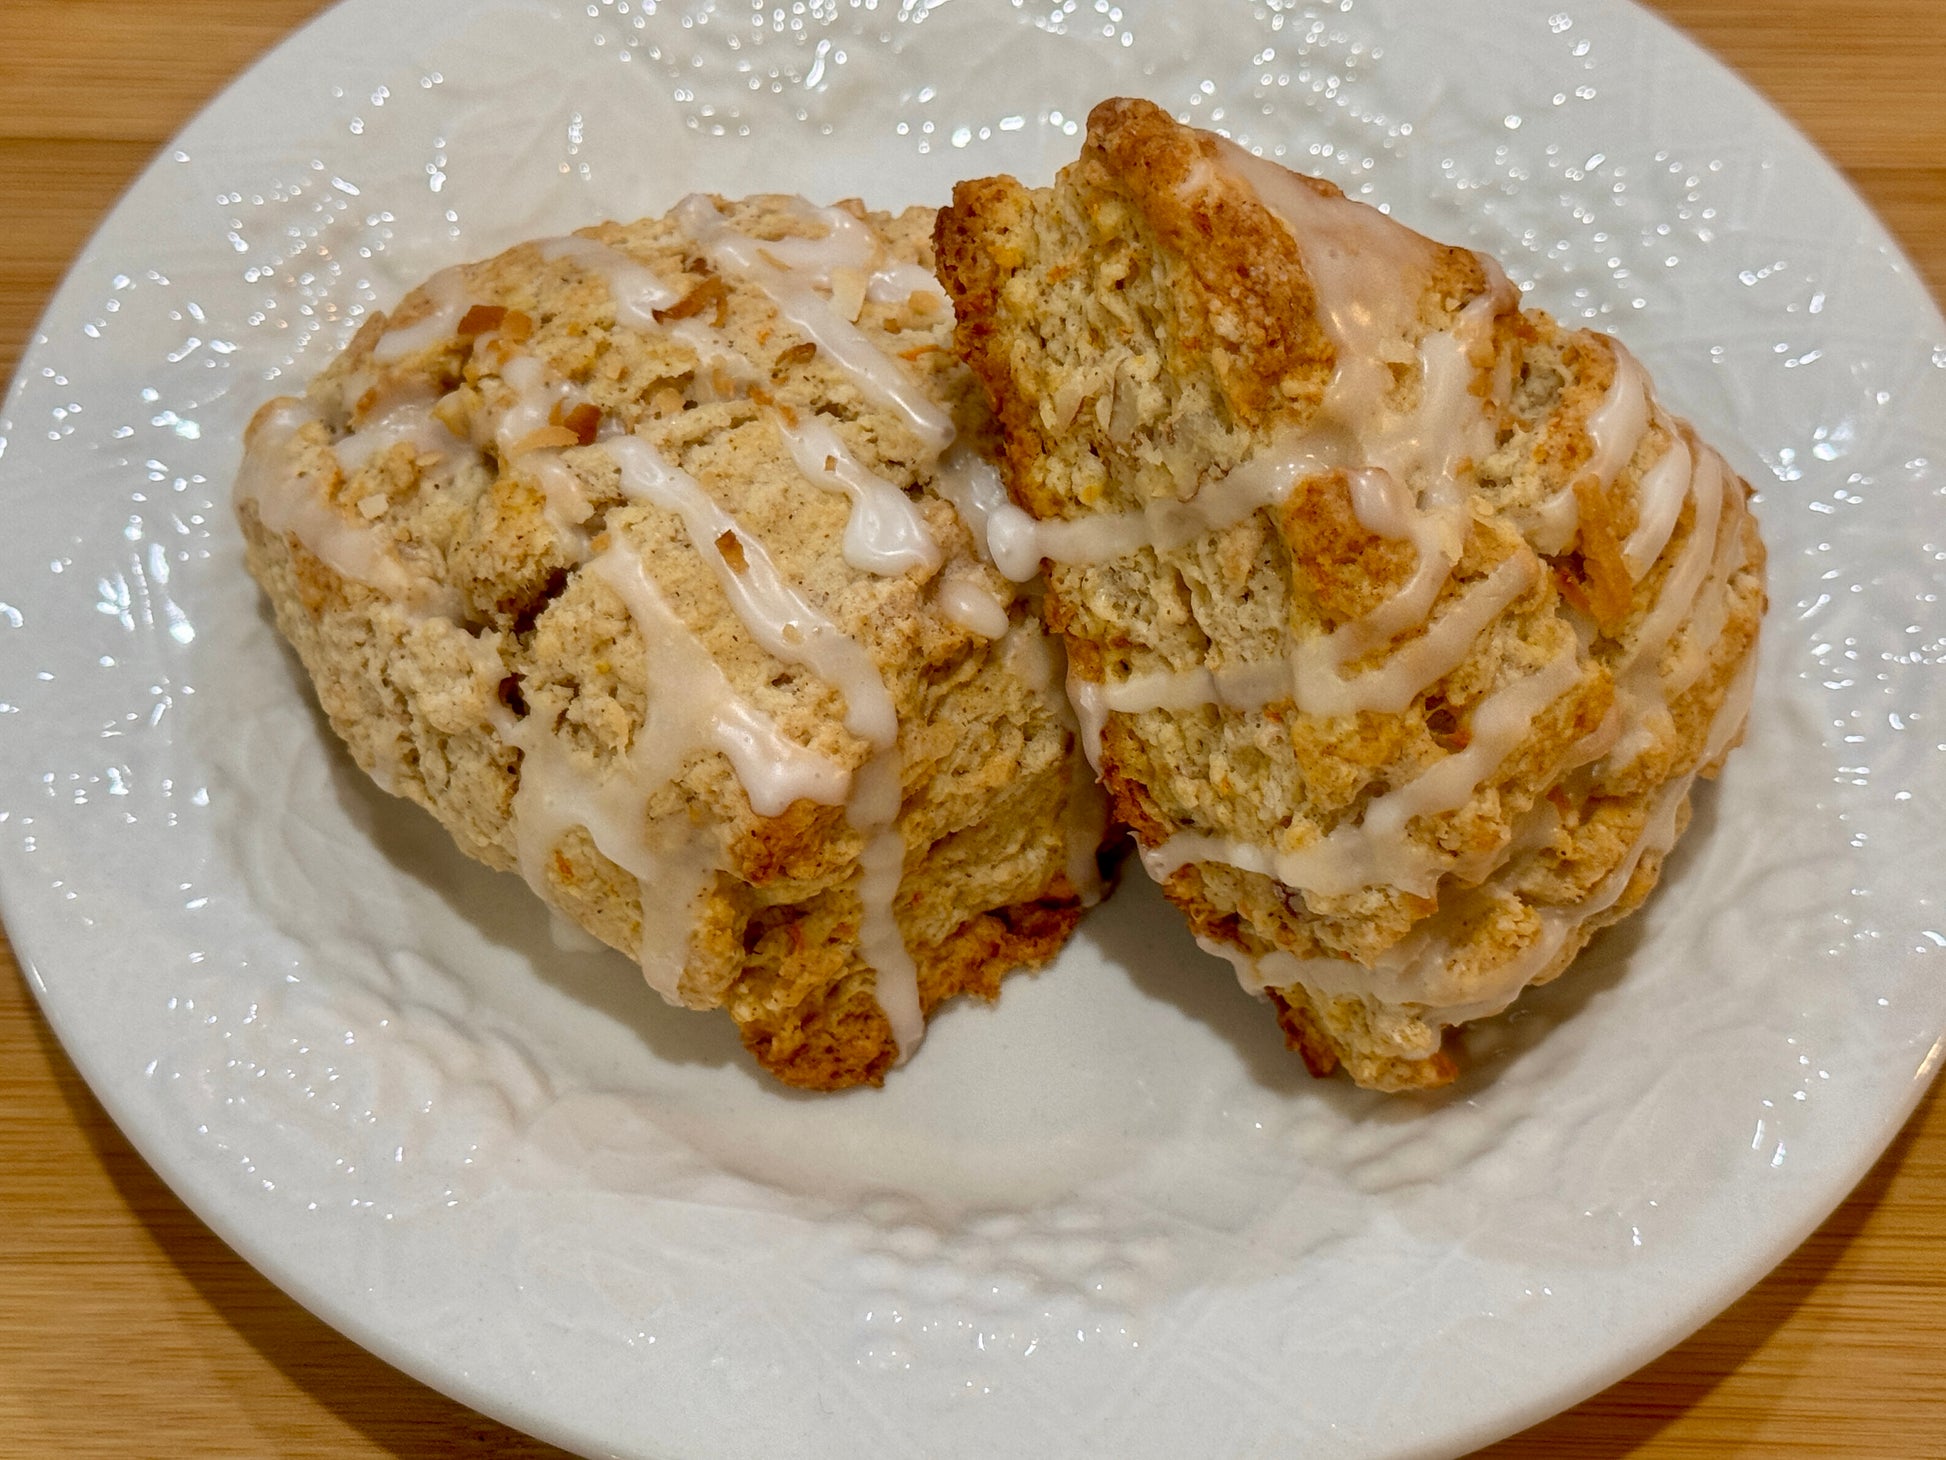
x=624 y=554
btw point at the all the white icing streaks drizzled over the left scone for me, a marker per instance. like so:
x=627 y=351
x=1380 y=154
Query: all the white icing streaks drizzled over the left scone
x=692 y=706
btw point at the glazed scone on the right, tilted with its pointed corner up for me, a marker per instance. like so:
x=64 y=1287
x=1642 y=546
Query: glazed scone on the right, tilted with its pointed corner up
x=1400 y=620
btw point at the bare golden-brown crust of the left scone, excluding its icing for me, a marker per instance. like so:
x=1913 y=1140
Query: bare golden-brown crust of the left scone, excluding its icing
x=507 y=657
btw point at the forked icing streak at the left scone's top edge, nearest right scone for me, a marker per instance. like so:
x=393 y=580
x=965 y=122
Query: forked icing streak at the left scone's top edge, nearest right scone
x=787 y=272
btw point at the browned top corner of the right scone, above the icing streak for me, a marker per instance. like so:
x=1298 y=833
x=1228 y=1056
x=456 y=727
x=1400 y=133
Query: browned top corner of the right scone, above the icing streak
x=1139 y=192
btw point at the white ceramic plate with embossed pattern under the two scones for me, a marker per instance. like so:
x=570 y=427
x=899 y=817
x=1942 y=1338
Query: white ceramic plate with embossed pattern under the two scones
x=1112 y=1216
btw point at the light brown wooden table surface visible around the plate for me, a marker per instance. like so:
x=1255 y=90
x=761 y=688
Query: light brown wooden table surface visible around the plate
x=129 y=1331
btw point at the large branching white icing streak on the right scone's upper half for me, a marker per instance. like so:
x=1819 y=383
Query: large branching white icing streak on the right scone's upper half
x=1353 y=258
